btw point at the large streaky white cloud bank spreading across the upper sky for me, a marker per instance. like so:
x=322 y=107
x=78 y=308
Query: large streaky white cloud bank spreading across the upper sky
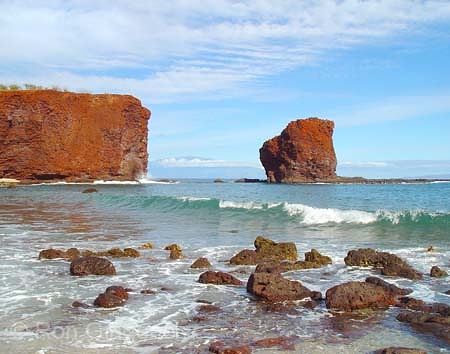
x=170 y=50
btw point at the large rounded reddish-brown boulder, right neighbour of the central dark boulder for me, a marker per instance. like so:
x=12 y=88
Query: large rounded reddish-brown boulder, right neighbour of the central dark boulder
x=358 y=295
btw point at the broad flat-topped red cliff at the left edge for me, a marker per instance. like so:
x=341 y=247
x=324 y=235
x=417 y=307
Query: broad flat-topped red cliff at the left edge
x=52 y=135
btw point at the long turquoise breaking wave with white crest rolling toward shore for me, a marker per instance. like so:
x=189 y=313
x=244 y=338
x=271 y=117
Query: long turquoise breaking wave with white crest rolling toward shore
x=301 y=213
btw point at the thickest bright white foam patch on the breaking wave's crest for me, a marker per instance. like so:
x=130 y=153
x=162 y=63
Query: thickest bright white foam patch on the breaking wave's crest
x=311 y=216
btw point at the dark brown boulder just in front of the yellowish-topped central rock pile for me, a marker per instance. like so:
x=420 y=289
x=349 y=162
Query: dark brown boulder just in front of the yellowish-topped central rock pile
x=274 y=287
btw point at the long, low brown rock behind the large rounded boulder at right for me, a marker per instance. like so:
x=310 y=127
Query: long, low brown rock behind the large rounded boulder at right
x=390 y=264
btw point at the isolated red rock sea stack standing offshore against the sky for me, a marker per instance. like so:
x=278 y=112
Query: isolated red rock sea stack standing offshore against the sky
x=303 y=152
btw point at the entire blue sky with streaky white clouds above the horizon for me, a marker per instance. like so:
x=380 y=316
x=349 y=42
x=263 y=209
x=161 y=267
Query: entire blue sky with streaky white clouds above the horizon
x=222 y=76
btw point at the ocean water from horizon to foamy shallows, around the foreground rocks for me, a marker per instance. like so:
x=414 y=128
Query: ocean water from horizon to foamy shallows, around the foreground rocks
x=213 y=220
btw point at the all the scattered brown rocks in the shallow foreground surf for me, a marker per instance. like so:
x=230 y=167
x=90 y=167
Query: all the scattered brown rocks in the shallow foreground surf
x=266 y=285
